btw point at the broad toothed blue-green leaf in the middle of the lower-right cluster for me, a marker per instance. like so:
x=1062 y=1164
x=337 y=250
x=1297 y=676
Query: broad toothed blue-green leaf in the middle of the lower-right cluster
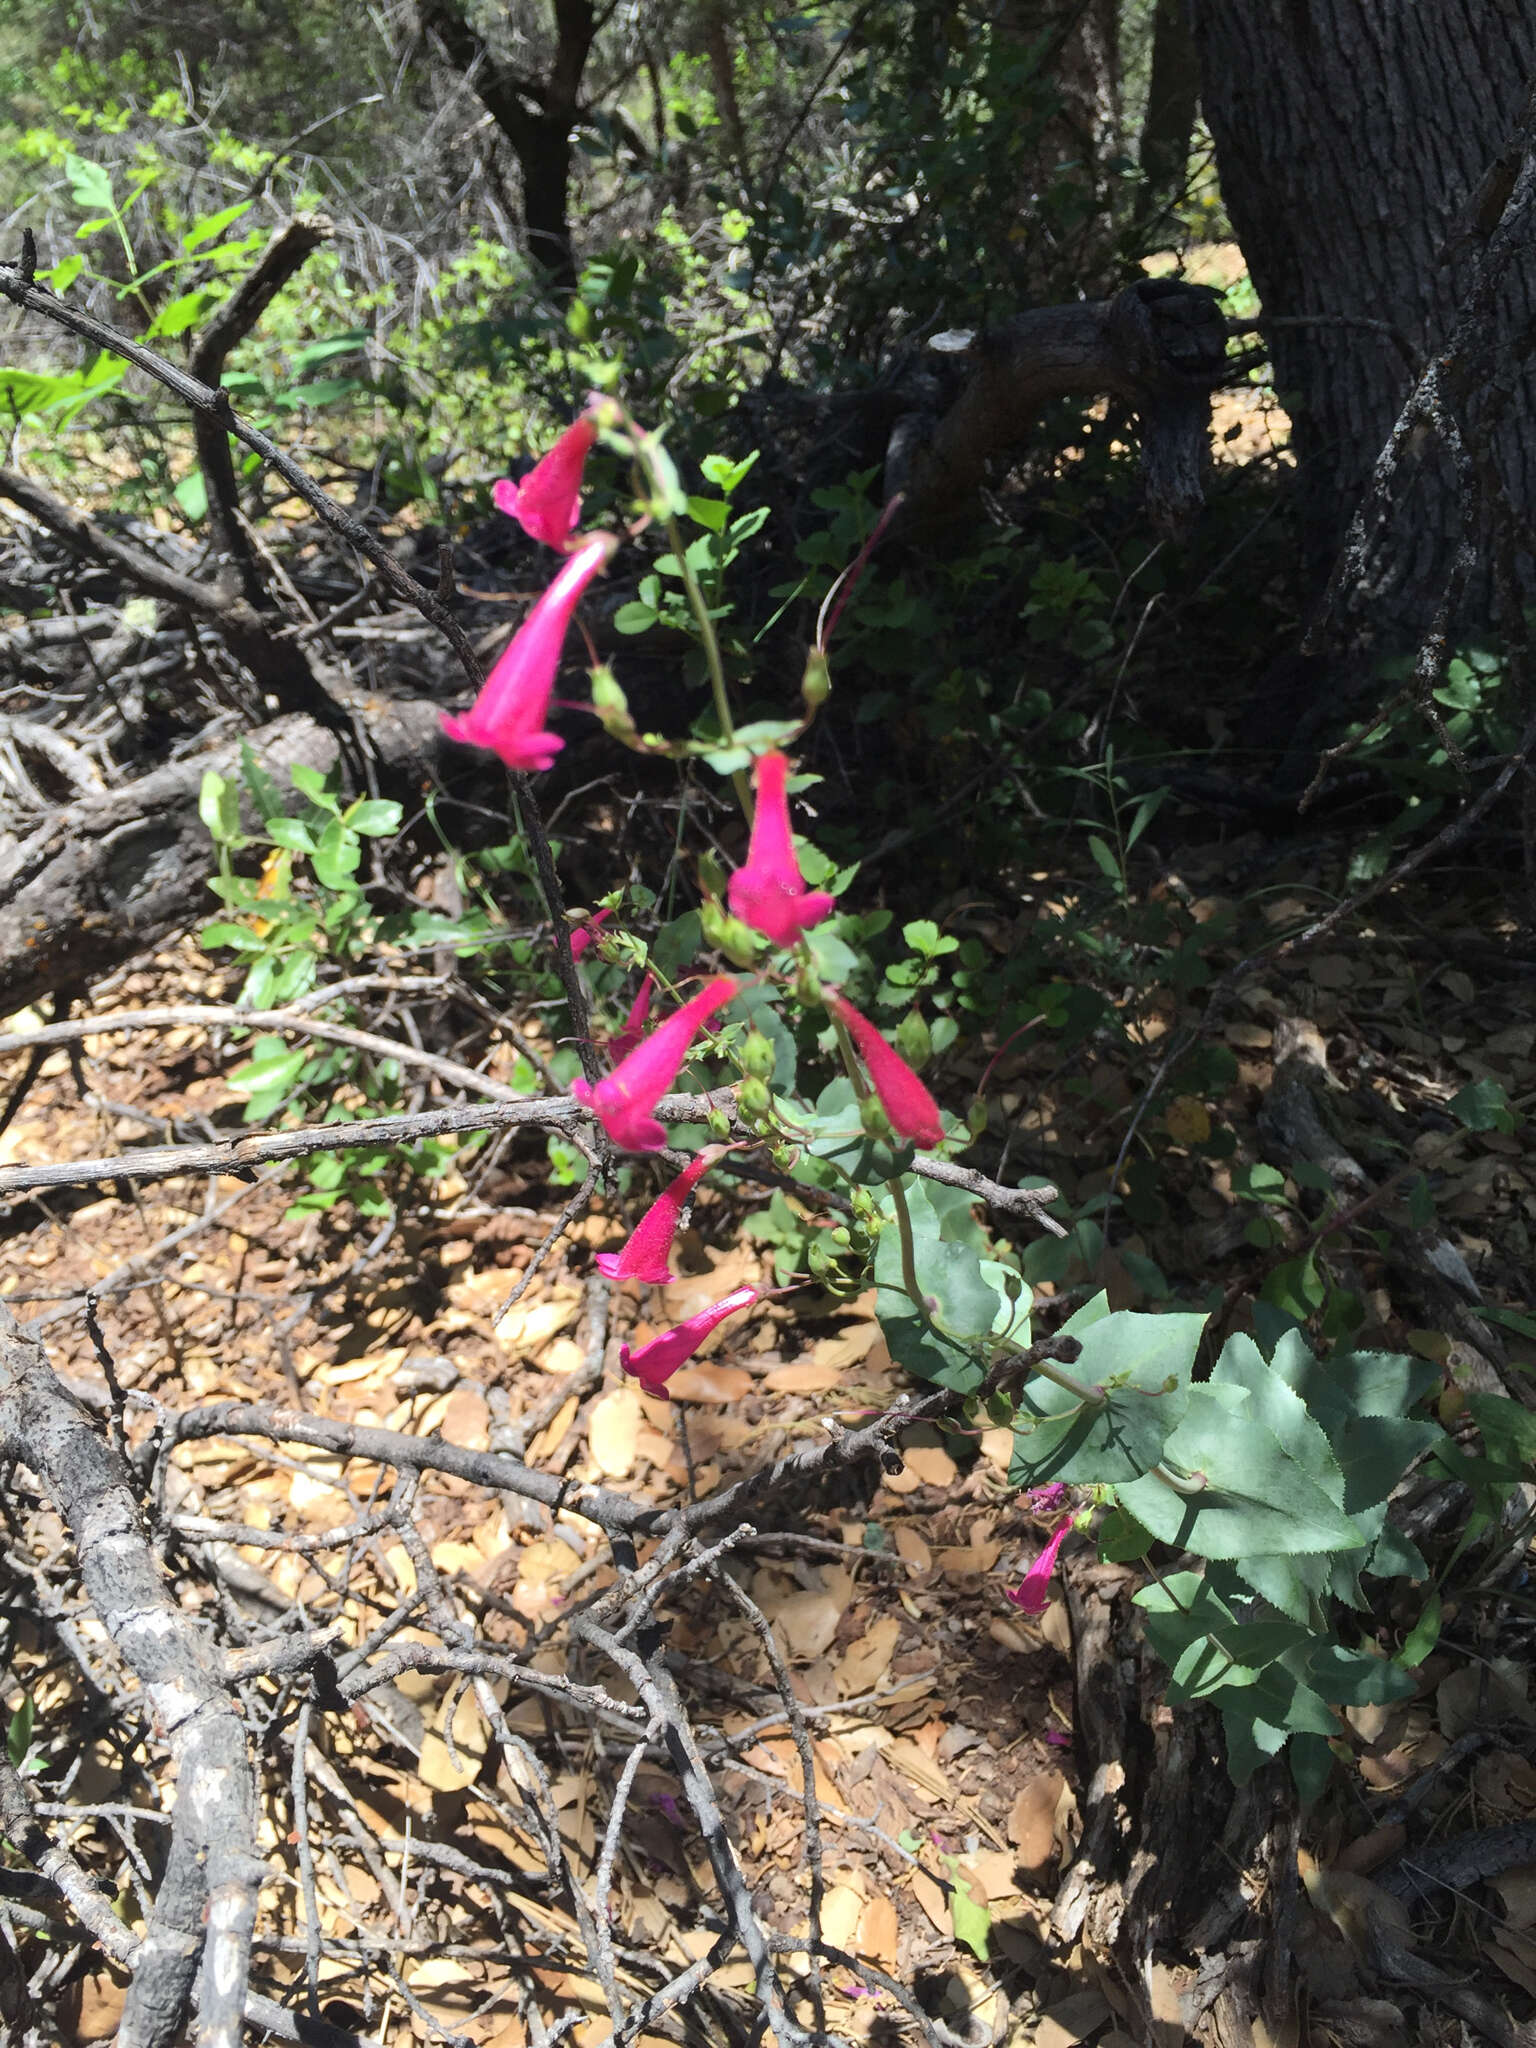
x=1254 y=1496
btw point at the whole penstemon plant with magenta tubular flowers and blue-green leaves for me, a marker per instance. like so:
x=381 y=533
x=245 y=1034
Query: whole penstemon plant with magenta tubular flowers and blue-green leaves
x=1252 y=1494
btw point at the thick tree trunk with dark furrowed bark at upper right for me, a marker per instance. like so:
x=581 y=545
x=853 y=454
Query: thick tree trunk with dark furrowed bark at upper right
x=1351 y=138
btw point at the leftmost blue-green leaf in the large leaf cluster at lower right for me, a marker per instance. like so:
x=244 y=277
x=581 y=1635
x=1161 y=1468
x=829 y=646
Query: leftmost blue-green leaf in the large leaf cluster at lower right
x=1144 y=1361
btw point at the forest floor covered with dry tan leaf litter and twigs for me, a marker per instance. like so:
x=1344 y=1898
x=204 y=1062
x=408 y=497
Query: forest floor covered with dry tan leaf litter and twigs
x=943 y=1721
